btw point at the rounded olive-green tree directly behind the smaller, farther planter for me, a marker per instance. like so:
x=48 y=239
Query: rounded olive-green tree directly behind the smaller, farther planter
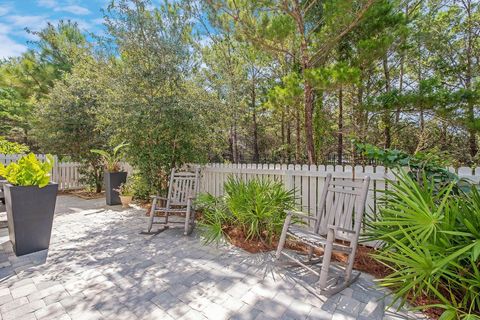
x=72 y=105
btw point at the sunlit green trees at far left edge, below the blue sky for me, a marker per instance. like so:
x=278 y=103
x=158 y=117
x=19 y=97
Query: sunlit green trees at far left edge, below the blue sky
x=26 y=80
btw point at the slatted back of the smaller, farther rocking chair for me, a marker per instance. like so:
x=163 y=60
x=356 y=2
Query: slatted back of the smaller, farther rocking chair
x=182 y=186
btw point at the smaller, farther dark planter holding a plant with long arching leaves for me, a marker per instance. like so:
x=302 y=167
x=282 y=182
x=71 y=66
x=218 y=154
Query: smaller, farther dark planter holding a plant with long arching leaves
x=113 y=176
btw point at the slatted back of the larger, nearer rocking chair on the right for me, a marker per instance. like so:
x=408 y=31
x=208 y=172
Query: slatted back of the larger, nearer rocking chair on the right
x=342 y=205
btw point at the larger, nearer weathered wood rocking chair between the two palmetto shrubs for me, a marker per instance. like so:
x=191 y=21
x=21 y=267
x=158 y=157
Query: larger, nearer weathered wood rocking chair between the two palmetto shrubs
x=336 y=228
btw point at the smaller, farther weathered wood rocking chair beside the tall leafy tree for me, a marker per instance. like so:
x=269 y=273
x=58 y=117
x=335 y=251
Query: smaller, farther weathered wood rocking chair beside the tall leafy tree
x=182 y=190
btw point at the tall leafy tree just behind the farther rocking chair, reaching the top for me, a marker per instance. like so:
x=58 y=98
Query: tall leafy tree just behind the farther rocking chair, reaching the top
x=150 y=101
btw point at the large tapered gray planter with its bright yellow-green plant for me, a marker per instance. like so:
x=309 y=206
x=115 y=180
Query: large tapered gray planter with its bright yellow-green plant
x=30 y=202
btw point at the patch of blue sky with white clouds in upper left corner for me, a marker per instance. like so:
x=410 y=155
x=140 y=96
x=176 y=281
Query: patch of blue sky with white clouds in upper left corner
x=16 y=15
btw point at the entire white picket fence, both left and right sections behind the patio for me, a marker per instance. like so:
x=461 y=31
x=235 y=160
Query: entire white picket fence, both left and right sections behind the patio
x=307 y=181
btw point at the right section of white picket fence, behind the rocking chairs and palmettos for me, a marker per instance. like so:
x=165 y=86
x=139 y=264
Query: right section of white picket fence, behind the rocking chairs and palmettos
x=308 y=181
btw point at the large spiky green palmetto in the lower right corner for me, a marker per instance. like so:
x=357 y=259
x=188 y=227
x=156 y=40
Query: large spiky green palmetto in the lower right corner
x=431 y=241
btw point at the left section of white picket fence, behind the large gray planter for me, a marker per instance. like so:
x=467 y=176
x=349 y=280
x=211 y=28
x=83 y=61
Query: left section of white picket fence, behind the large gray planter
x=66 y=174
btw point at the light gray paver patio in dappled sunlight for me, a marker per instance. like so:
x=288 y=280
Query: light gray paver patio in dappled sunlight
x=100 y=267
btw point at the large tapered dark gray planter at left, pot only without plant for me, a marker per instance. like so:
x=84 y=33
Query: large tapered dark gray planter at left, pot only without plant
x=30 y=216
